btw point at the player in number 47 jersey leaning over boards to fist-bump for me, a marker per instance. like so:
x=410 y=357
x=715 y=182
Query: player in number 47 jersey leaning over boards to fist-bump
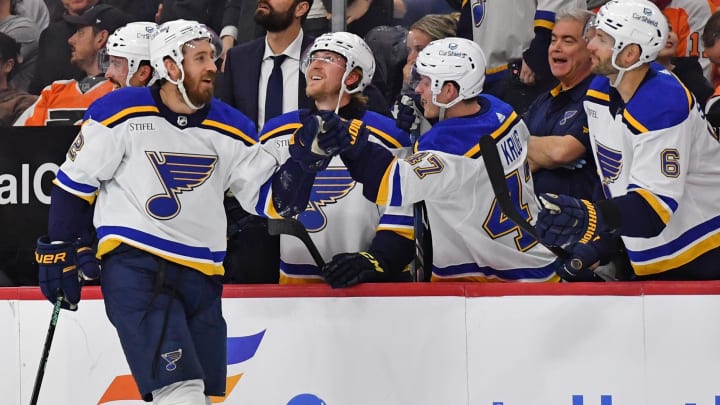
x=471 y=239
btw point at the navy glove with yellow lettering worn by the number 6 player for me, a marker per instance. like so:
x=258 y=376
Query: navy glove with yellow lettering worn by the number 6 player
x=564 y=220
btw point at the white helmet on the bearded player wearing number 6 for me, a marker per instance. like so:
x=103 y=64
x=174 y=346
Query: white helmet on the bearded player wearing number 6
x=633 y=22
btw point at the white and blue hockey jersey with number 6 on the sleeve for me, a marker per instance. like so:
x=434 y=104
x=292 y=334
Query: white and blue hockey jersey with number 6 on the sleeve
x=659 y=146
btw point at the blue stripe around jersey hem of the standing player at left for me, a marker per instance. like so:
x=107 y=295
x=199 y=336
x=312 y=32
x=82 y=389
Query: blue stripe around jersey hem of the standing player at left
x=189 y=252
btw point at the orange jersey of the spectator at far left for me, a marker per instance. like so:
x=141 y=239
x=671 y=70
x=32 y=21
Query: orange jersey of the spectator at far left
x=63 y=103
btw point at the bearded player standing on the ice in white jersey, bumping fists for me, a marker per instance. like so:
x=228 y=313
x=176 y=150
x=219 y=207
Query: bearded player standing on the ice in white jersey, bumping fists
x=151 y=165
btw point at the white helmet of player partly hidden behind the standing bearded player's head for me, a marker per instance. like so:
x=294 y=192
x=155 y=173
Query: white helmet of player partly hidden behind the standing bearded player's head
x=132 y=42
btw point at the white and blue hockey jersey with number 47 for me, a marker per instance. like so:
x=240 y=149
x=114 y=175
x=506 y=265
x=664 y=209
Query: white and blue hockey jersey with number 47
x=472 y=239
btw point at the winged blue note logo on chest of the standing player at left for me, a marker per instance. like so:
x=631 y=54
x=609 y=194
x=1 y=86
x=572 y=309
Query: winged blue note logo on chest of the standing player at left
x=178 y=172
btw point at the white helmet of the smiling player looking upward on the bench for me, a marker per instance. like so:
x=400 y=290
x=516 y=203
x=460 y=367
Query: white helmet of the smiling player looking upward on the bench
x=356 y=52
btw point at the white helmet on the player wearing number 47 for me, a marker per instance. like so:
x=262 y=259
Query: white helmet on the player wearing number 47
x=458 y=60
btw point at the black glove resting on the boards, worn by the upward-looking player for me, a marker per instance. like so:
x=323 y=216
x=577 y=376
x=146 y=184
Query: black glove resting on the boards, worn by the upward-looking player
x=349 y=269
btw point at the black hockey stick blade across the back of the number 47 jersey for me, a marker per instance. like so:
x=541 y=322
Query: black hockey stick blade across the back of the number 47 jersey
x=494 y=168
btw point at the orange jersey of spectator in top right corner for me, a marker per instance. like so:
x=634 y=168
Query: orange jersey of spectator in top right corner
x=687 y=18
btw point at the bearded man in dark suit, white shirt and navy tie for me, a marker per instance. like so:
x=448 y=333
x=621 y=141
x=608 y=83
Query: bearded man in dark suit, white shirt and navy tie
x=253 y=255
